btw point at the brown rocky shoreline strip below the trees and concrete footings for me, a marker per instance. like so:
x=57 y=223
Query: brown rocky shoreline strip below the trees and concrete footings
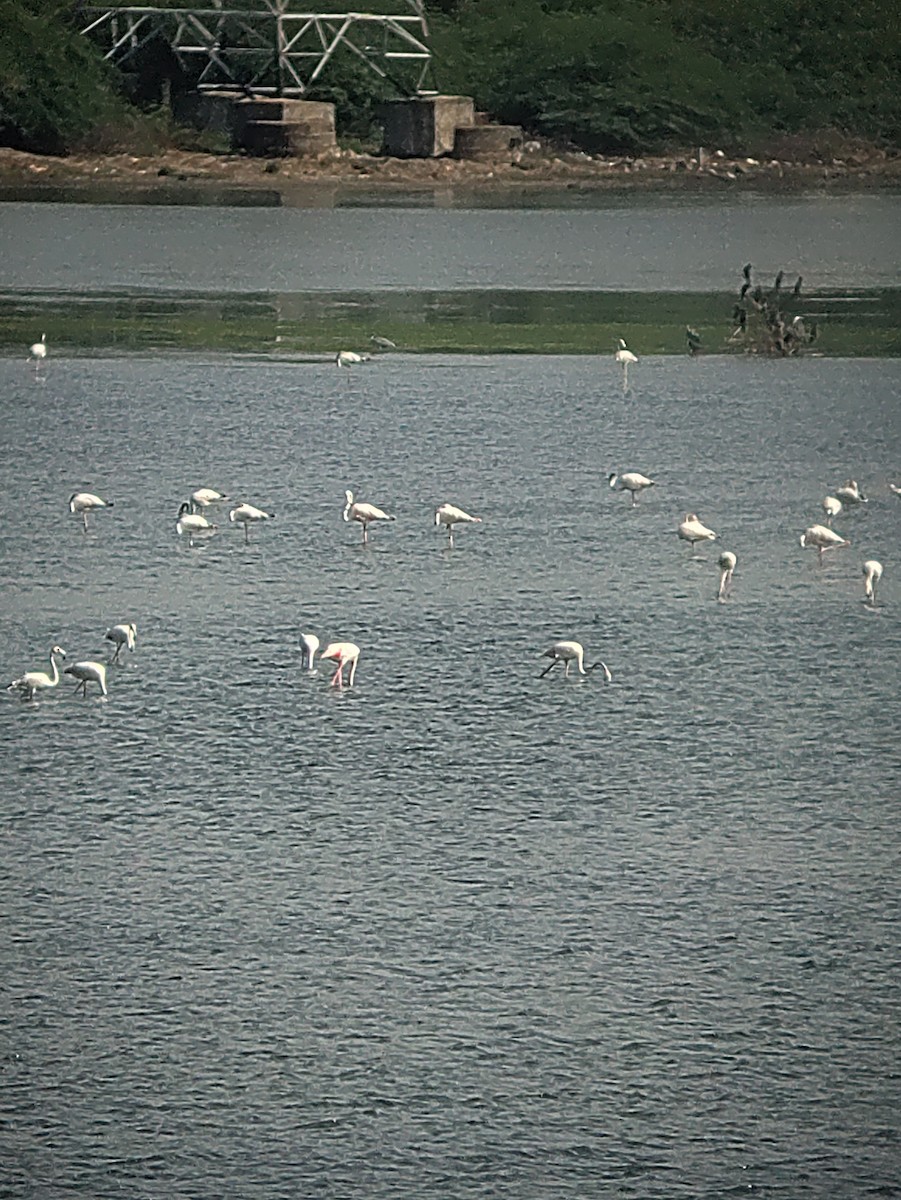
x=170 y=176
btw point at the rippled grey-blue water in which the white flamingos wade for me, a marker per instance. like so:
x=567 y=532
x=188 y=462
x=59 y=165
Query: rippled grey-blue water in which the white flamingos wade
x=458 y=932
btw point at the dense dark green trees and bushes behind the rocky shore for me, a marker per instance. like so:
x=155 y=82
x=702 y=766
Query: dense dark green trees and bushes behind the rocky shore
x=621 y=76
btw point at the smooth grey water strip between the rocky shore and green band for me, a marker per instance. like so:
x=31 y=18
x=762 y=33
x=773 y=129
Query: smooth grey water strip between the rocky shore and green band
x=664 y=243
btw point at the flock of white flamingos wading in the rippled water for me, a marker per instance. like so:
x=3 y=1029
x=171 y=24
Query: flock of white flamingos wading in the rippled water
x=194 y=525
